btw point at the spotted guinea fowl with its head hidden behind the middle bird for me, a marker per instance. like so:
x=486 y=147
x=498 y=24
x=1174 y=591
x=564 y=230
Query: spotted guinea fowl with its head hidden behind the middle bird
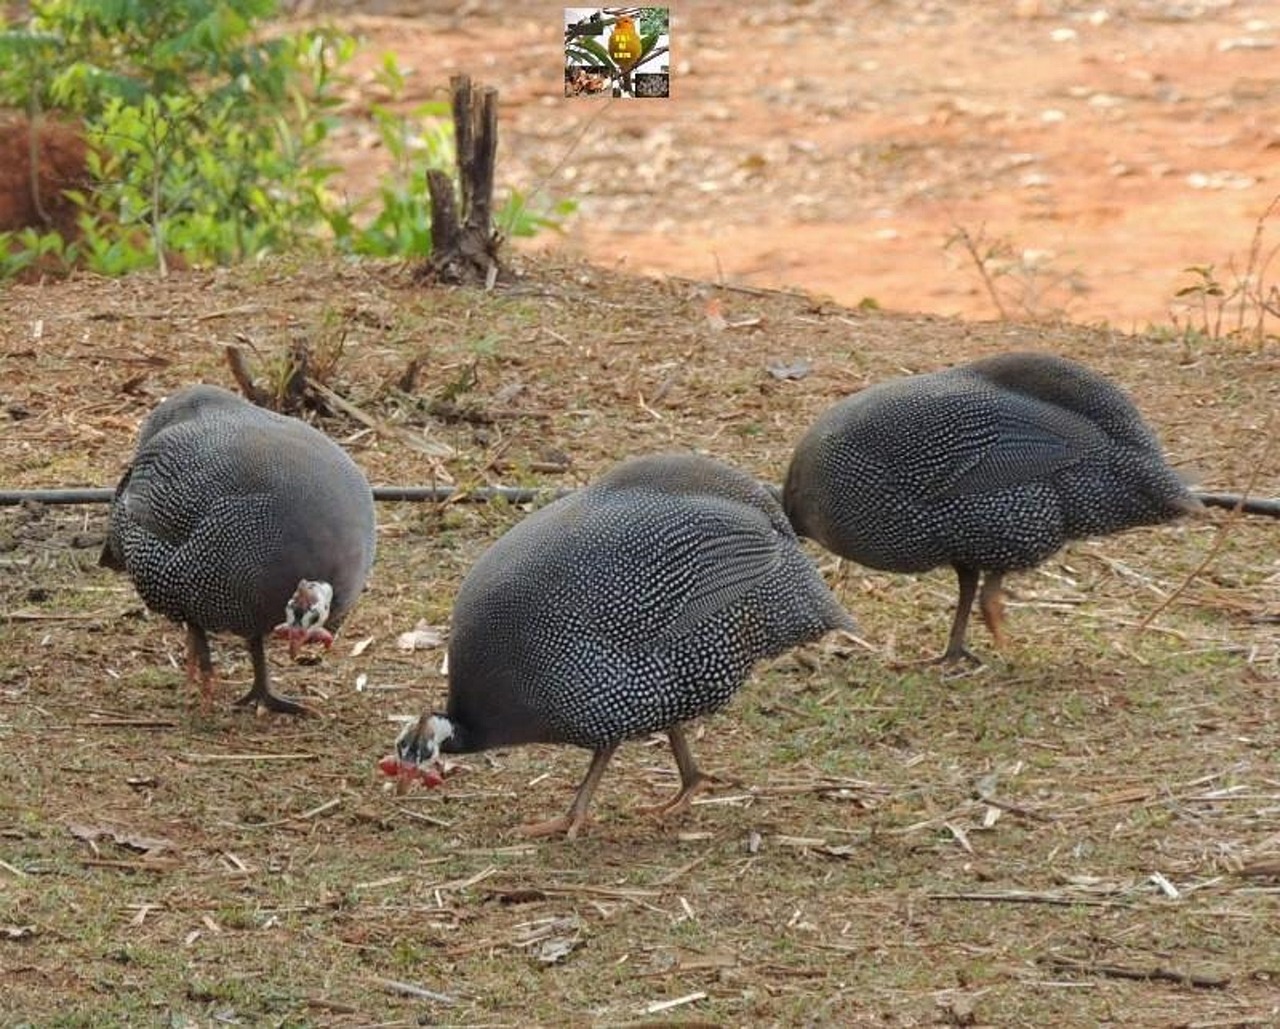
x=989 y=468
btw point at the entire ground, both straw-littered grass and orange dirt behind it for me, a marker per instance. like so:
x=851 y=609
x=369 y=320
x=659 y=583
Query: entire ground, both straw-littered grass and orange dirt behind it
x=1084 y=831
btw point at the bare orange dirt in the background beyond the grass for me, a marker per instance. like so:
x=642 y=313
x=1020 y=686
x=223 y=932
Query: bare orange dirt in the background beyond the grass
x=1100 y=149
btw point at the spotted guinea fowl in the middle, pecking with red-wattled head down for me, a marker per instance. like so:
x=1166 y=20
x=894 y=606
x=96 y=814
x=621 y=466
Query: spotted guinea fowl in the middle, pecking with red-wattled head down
x=628 y=609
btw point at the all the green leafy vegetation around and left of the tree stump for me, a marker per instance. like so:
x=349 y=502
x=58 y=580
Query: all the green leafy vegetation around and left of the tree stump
x=208 y=140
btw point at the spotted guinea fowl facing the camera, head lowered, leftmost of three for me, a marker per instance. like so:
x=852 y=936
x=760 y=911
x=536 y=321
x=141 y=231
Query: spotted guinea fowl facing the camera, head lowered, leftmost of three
x=231 y=516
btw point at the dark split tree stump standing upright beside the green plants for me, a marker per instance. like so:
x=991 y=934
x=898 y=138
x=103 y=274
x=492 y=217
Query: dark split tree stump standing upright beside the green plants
x=464 y=243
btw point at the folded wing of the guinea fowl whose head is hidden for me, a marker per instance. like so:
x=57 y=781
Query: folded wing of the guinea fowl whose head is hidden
x=1022 y=441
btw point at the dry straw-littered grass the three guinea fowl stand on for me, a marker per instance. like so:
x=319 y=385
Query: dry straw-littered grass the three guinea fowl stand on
x=1085 y=830
